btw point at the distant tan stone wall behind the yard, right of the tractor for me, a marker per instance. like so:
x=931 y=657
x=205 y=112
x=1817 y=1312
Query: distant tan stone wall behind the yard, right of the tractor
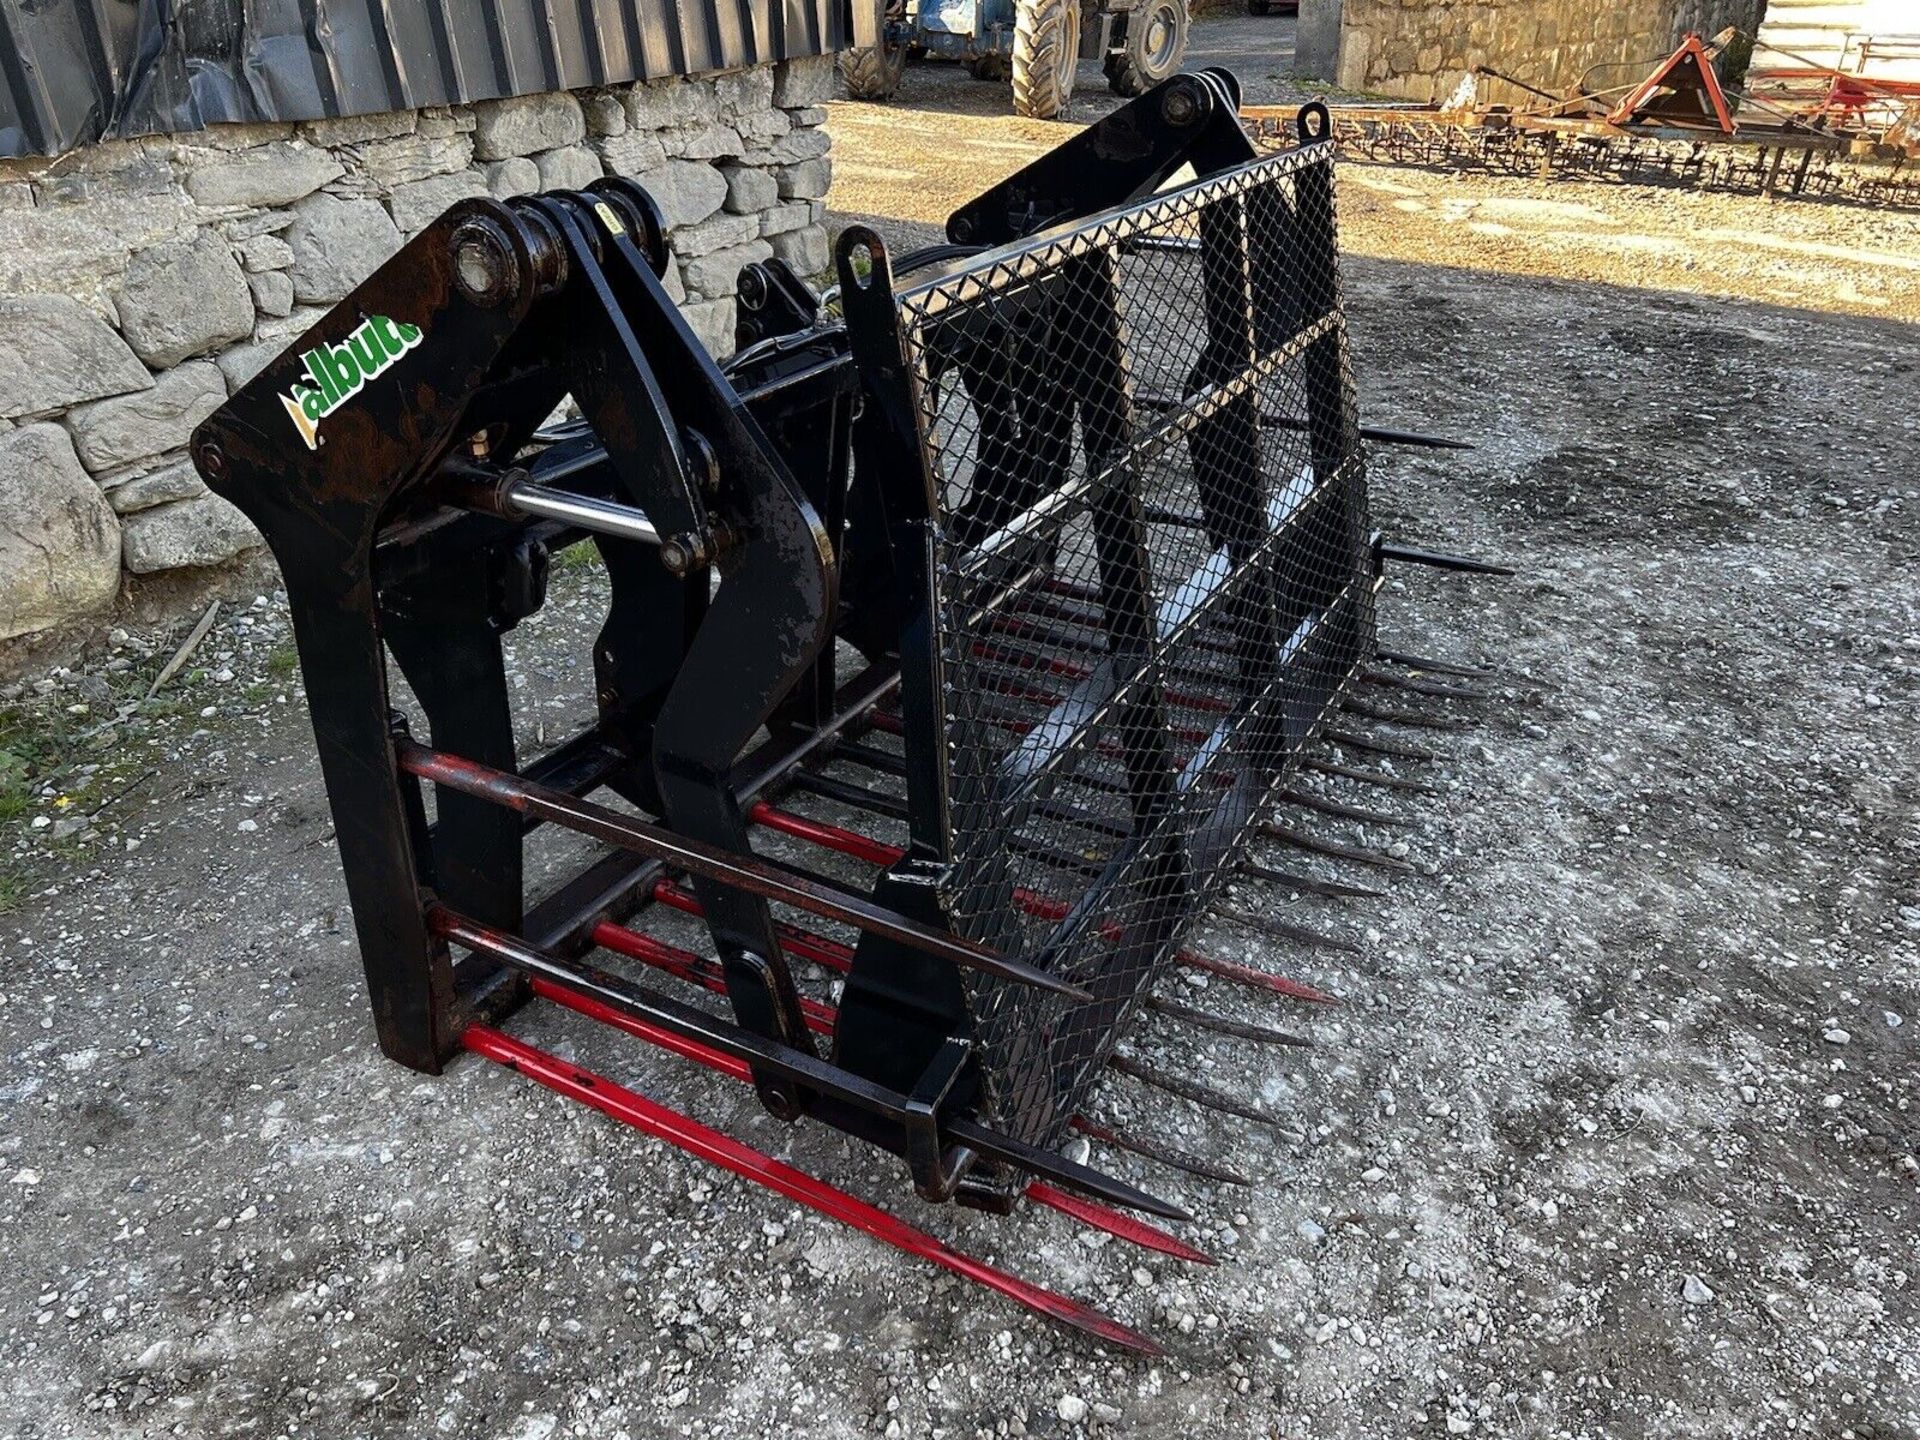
x=1424 y=49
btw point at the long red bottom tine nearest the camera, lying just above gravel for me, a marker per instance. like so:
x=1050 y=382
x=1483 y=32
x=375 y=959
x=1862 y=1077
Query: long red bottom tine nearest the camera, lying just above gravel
x=686 y=1134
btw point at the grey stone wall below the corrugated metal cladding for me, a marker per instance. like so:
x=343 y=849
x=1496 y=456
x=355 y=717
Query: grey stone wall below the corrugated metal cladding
x=145 y=281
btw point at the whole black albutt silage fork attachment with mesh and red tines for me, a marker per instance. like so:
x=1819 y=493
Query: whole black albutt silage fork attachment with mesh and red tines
x=1047 y=556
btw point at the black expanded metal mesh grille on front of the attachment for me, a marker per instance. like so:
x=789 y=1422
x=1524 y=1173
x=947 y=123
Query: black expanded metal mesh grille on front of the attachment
x=1153 y=575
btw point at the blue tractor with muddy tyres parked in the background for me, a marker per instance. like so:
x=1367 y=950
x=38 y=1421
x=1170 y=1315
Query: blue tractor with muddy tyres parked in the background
x=1038 y=43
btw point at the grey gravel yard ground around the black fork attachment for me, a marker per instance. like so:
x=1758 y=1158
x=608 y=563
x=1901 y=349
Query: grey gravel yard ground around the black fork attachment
x=1612 y=1136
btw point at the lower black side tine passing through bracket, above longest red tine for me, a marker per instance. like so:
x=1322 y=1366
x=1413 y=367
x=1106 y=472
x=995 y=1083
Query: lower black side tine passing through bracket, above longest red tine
x=696 y=1028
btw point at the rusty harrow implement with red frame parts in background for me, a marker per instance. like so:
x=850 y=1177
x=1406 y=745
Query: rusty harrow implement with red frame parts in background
x=1727 y=114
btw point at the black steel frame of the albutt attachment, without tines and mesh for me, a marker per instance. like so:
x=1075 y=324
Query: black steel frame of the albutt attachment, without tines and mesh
x=420 y=529
